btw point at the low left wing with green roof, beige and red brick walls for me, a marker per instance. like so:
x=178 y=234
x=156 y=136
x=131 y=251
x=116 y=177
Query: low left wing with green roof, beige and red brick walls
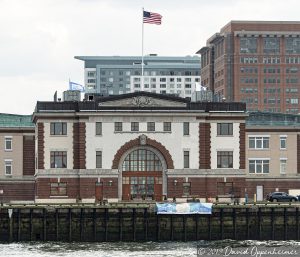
x=17 y=158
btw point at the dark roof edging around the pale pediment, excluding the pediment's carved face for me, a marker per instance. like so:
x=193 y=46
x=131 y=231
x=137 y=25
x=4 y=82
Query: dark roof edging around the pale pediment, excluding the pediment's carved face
x=185 y=104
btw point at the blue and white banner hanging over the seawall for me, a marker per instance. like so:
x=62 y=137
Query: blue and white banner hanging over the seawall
x=183 y=208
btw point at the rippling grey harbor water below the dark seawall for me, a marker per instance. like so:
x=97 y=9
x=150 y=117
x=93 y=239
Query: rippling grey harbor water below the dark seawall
x=176 y=249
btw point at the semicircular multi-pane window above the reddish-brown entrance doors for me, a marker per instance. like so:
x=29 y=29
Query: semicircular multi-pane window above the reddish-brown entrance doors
x=142 y=160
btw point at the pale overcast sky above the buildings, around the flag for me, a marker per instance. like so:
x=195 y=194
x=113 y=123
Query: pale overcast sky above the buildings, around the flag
x=39 y=38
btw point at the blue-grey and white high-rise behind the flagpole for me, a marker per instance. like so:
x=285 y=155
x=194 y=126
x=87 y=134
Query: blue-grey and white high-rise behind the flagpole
x=114 y=75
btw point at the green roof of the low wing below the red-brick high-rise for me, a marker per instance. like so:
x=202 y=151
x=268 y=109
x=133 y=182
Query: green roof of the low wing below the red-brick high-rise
x=268 y=119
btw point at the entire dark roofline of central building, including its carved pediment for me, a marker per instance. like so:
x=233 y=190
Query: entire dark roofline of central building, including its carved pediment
x=139 y=101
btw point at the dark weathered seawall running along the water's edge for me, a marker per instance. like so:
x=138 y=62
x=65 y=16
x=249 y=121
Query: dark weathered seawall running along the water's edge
x=141 y=223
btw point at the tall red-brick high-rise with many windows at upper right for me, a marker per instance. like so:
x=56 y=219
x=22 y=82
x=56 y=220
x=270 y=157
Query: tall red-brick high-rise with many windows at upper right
x=256 y=62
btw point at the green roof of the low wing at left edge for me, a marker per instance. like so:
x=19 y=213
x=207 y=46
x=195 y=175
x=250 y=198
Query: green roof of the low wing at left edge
x=15 y=121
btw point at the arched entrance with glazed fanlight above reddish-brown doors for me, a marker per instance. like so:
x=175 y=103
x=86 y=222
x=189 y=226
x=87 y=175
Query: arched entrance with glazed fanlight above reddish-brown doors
x=142 y=174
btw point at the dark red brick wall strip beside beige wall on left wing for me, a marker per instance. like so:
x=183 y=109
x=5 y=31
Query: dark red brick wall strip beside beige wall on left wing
x=28 y=155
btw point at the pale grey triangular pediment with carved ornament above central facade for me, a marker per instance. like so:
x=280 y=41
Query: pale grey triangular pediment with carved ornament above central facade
x=143 y=101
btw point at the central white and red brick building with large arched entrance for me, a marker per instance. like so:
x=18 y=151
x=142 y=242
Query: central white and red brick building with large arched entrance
x=138 y=145
